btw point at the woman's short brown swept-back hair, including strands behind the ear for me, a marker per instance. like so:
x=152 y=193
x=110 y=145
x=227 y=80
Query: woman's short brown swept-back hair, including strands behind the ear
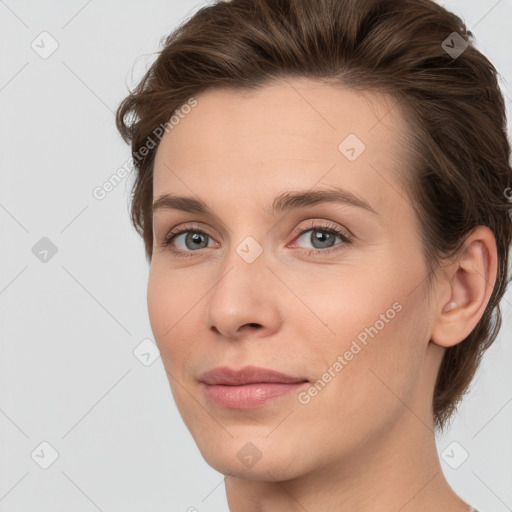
x=451 y=102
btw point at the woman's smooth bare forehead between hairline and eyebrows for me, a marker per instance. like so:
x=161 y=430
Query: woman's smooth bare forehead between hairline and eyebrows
x=289 y=134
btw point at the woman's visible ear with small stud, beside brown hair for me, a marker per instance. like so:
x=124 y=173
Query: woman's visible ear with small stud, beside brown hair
x=466 y=285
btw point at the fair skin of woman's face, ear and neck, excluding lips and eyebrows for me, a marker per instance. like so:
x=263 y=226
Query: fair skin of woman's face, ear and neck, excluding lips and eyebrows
x=365 y=442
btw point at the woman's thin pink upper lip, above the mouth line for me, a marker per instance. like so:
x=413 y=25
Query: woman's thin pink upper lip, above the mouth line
x=247 y=375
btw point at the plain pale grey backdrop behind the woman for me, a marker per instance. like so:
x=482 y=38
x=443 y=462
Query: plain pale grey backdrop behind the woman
x=86 y=423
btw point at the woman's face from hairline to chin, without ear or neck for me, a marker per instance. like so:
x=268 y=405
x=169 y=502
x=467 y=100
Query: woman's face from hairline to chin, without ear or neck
x=343 y=314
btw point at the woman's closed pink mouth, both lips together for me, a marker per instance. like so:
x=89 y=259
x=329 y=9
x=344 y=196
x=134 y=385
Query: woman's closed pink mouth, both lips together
x=248 y=387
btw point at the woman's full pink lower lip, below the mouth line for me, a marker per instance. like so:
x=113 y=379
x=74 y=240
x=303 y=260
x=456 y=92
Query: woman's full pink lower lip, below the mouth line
x=249 y=396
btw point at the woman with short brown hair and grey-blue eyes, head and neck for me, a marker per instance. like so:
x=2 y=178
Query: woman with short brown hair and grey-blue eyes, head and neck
x=321 y=188
